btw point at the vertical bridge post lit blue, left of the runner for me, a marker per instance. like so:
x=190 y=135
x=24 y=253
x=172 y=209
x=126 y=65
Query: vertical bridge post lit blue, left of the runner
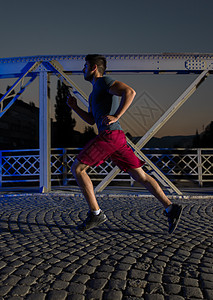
x=44 y=133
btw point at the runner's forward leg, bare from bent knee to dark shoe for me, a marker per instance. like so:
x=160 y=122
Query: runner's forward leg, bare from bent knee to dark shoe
x=95 y=216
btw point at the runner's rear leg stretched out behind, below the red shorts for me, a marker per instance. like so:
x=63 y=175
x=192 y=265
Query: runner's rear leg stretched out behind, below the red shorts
x=172 y=211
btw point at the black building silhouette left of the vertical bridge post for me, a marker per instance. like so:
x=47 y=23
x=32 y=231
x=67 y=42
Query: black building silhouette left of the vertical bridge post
x=19 y=127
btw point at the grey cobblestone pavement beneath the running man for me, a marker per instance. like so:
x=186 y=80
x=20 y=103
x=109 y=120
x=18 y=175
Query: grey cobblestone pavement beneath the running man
x=131 y=256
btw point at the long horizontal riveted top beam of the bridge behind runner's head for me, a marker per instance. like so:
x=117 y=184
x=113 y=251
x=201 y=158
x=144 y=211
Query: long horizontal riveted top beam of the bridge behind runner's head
x=132 y=63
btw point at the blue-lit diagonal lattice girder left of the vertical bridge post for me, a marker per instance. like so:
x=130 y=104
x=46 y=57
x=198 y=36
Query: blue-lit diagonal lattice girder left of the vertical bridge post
x=30 y=67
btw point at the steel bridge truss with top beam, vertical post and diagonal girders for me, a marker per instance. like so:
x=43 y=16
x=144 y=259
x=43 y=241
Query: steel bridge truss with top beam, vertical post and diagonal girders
x=25 y=70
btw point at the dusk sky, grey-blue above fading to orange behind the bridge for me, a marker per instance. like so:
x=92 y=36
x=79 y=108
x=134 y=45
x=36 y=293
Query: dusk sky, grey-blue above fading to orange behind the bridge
x=52 y=27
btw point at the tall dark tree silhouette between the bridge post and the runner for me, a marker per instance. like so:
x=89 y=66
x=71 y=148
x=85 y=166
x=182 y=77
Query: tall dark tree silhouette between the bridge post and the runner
x=63 y=133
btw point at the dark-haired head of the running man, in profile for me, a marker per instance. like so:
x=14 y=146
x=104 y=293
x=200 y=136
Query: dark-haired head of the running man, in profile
x=94 y=62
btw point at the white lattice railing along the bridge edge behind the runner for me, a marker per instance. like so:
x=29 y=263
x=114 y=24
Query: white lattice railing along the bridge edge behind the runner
x=22 y=167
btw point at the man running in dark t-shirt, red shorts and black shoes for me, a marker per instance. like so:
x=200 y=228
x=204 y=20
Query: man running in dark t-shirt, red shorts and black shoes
x=105 y=110
